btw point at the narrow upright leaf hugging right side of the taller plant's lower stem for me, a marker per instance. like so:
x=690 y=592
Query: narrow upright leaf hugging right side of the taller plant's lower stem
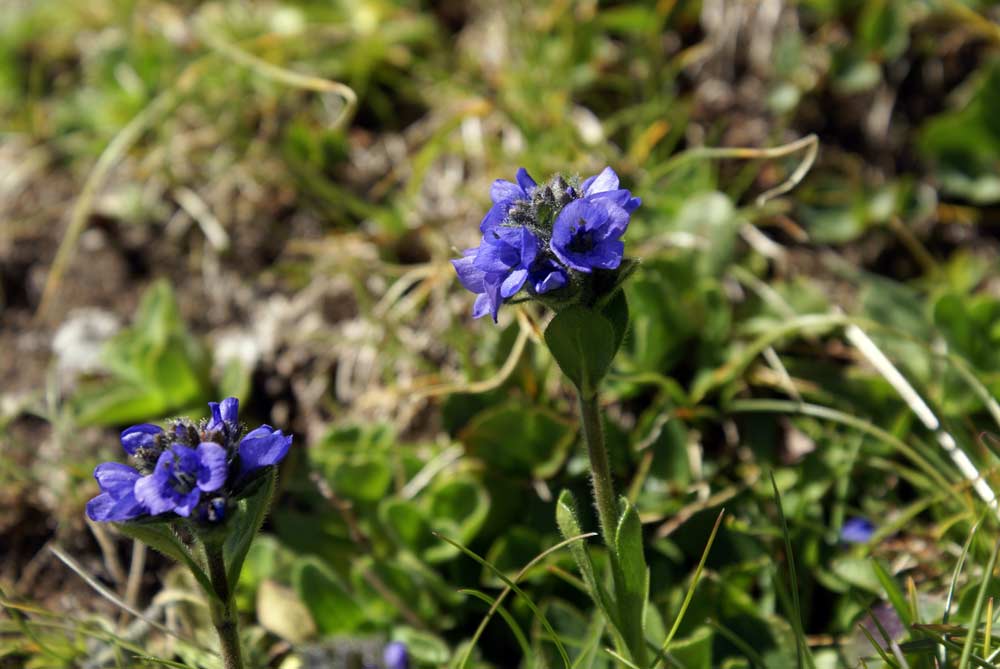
x=631 y=580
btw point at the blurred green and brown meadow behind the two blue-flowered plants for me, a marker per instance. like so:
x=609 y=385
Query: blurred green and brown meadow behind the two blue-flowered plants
x=260 y=199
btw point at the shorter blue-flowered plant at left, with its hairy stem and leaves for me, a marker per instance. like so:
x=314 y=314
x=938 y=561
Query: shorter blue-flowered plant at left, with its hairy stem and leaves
x=198 y=493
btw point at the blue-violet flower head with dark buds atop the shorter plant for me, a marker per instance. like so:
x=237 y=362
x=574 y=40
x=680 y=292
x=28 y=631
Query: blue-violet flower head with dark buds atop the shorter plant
x=189 y=470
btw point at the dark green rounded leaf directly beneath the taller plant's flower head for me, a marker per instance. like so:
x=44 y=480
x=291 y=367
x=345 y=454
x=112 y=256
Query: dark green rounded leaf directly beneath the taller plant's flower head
x=583 y=343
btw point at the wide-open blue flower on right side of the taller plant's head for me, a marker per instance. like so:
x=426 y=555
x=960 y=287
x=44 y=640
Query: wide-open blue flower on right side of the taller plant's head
x=587 y=234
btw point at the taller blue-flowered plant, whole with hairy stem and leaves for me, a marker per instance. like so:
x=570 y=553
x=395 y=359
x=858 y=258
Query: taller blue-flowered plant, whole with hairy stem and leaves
x=559 y=243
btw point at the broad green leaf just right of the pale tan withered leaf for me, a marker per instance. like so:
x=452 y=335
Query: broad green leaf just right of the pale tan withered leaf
x=333 y=608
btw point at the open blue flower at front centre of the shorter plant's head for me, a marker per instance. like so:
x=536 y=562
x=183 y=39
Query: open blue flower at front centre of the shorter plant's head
x=181 y=475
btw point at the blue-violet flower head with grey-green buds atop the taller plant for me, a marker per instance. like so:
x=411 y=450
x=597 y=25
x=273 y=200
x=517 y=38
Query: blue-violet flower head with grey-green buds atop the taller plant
x=545 y=237
